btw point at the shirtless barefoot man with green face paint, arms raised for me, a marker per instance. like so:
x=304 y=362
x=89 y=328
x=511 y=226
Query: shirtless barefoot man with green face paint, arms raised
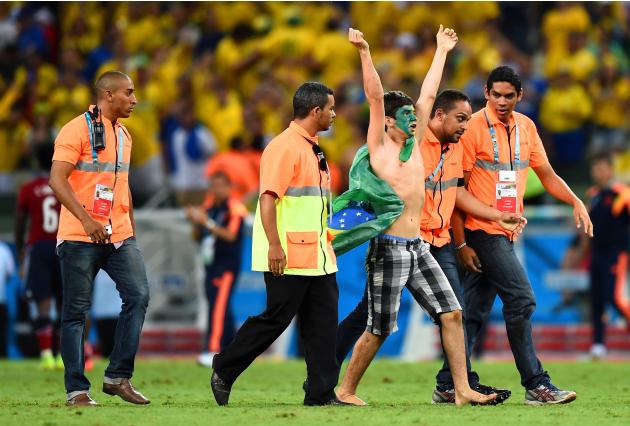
x=398 y=258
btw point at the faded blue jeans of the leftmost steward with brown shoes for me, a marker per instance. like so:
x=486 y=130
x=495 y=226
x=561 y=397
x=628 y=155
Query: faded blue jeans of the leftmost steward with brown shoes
x=80 y=263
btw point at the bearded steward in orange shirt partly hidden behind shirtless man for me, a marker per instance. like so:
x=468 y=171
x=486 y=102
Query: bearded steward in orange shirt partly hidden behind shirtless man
x=444 y=189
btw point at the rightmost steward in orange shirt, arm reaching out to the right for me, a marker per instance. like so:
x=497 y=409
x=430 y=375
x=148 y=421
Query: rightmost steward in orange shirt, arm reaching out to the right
x=500 y=145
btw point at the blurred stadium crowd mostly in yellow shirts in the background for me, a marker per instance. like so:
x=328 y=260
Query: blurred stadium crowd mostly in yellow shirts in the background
x=212 y=79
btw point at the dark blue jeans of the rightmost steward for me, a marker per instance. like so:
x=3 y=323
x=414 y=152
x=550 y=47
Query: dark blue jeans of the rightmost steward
x=503 y=275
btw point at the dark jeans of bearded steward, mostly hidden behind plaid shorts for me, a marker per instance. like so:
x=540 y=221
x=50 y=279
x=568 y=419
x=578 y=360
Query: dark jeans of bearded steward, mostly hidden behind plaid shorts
x=353 y=325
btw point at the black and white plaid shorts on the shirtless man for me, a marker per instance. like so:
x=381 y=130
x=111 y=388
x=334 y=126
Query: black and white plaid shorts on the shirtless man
x=392 y=264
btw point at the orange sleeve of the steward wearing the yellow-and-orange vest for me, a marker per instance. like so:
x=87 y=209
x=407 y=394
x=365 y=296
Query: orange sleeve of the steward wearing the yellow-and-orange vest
x=277 y=168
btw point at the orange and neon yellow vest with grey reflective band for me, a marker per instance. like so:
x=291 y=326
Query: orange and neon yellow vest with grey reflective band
x=290 y=169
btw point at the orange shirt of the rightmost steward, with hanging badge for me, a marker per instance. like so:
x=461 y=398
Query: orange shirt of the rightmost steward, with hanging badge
x=479 y=160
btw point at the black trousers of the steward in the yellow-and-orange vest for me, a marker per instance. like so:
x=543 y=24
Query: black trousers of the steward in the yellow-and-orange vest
x=314 y=300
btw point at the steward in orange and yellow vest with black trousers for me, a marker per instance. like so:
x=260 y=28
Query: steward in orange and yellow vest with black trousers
x=291 y=246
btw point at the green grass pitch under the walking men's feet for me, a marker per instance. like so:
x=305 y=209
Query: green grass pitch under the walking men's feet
x=270 y=393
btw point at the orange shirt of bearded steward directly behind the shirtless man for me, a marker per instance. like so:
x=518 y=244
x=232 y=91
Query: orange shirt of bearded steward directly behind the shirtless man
x=441 y=188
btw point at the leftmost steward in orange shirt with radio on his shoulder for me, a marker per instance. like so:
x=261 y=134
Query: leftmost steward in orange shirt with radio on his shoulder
x=89 y=176
